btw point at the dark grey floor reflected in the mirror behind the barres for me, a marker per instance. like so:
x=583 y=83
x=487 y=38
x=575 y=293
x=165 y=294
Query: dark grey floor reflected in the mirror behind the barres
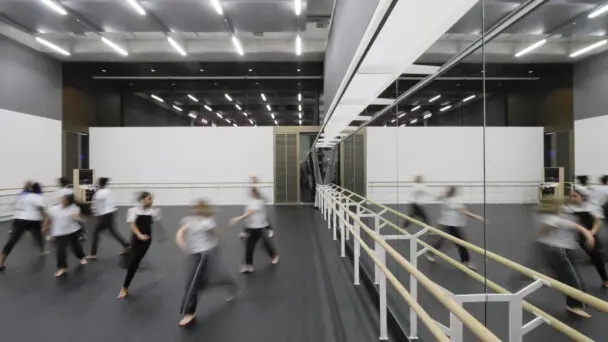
x=510 y=233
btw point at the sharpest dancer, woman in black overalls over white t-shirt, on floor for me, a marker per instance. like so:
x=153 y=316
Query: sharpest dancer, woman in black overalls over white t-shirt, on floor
x=140 y=220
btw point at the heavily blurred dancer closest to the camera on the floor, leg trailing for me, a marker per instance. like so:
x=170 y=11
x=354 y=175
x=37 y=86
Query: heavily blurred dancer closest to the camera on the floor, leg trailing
x=198 y=238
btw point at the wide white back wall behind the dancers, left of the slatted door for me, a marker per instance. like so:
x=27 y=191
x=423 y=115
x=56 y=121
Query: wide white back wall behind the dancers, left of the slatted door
x=199 y=158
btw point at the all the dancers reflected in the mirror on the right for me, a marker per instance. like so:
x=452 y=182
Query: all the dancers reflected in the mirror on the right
x=564 y=225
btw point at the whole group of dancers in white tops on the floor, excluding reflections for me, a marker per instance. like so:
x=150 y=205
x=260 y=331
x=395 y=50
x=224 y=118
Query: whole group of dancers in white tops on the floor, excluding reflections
x=197 y=236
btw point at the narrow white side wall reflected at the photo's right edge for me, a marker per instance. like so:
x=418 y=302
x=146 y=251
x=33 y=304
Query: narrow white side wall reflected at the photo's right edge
x=590 y=141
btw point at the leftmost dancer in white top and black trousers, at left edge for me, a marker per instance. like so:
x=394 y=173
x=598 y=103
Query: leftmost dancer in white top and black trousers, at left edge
x=28 y=216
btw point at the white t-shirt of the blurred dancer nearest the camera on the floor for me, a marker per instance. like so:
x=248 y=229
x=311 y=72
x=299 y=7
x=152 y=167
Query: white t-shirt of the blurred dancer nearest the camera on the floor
x=199 y=235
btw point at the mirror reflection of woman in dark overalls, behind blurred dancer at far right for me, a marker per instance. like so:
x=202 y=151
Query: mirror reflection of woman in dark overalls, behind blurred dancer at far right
x=587 y=215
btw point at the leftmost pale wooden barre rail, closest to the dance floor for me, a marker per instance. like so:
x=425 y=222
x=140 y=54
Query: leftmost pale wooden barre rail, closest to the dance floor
x=449 y=303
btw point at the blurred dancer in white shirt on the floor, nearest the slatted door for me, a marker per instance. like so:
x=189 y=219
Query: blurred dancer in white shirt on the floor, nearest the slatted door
x=255 y=223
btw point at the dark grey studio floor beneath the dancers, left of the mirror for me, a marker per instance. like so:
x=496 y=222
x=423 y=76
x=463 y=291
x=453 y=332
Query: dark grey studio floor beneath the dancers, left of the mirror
x=308 y=297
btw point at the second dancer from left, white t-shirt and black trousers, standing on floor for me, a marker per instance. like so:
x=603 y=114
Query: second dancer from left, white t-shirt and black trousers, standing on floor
x=64 y=226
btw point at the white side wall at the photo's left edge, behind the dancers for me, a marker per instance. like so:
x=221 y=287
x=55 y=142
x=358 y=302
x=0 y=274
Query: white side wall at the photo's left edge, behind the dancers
x=30 y=149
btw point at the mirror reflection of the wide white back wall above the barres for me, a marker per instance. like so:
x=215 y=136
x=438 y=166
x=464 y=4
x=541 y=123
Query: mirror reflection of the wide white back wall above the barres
x=455 y=155
